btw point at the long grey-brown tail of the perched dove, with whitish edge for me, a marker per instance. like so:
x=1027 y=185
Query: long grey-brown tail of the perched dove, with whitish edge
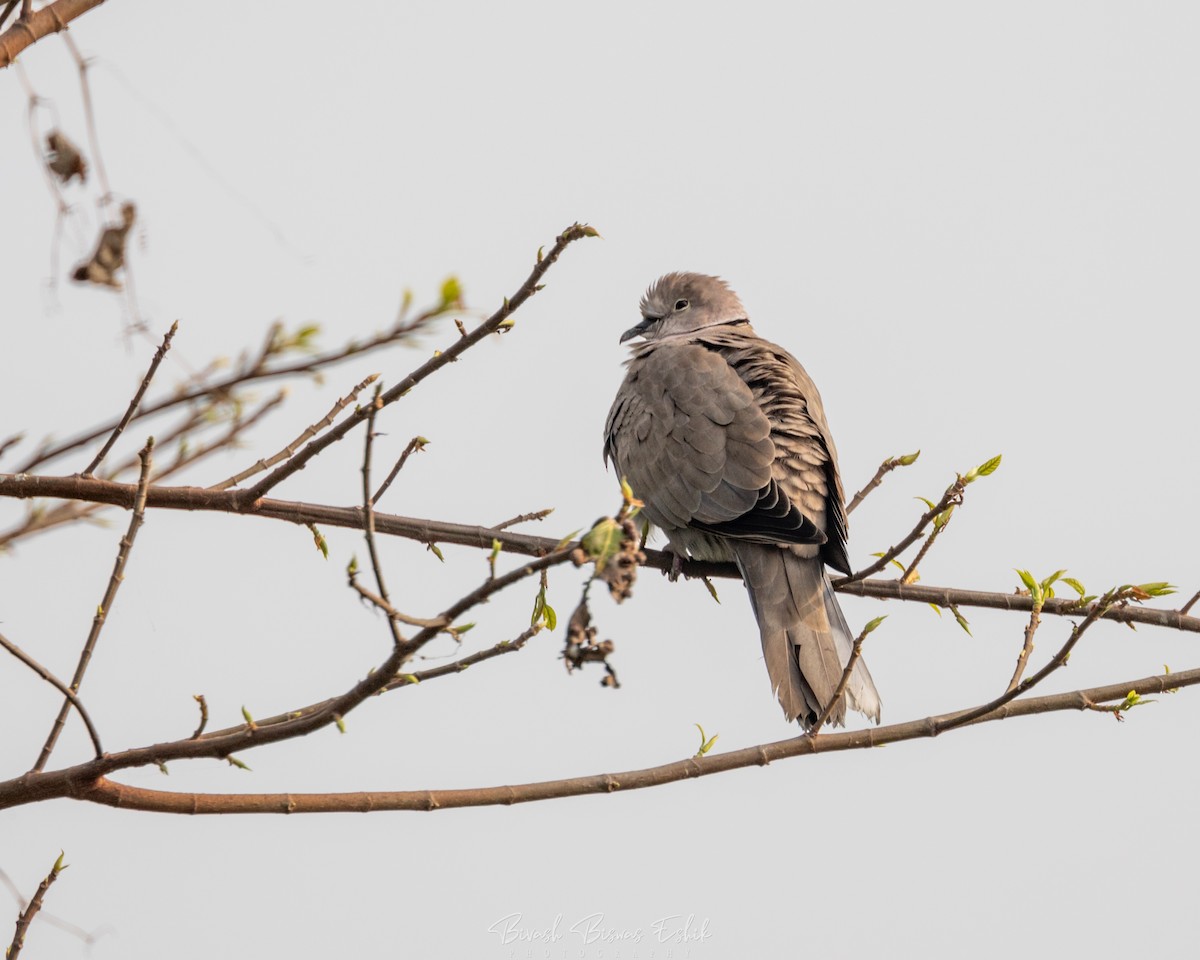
x=806 y=640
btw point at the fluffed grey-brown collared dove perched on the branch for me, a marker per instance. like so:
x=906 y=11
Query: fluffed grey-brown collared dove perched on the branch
x=723 y=436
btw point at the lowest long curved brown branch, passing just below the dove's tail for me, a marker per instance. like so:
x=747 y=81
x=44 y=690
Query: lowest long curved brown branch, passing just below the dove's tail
x=136 y=799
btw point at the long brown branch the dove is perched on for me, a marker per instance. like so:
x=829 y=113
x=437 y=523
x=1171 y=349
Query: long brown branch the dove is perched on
x=22 y=487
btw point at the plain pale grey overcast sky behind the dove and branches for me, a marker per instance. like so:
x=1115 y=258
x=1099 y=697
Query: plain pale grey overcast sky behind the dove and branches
x=975 y=225
